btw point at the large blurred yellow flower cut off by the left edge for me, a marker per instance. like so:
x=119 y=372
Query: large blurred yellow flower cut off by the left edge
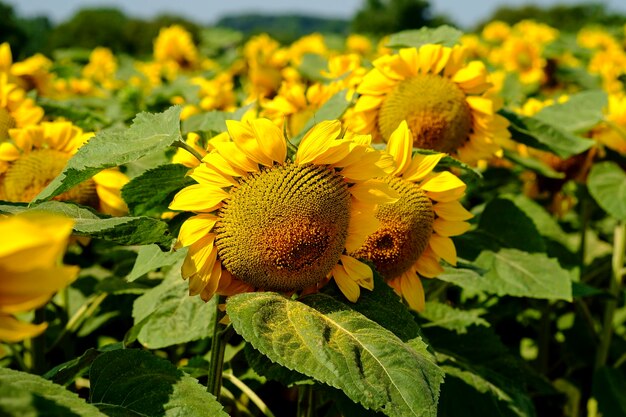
x=31 y=248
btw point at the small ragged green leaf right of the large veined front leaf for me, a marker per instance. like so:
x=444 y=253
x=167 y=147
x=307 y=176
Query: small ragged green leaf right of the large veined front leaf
x=448 y=317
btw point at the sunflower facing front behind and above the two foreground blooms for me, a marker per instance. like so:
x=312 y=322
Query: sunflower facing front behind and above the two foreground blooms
x=444 y=102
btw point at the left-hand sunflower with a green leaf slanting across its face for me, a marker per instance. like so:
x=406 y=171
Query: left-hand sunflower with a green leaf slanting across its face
x=37 y=154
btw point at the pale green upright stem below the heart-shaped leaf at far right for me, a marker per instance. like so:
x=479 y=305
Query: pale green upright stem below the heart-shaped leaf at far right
x=619 y=248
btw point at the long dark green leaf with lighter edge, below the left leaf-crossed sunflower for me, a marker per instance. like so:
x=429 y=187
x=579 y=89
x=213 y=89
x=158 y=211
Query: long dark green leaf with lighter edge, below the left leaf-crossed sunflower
x=122 y=230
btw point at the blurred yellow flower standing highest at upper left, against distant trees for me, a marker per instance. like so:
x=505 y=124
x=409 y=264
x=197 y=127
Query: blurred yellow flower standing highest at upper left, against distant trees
x=175 y=45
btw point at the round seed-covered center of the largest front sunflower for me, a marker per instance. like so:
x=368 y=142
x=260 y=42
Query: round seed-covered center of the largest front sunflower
x=285 y=228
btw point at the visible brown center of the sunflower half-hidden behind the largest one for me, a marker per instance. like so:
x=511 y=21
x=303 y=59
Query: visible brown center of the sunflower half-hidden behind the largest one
x=405 y=229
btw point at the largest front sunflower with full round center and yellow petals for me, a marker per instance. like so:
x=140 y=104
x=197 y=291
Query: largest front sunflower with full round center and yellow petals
x=266 y=222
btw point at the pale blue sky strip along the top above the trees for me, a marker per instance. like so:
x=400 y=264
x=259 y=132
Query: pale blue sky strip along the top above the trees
x=465 y=12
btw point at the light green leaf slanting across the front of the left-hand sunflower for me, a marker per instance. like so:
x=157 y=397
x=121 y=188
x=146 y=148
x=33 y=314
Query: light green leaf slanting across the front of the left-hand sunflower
x=149 y=133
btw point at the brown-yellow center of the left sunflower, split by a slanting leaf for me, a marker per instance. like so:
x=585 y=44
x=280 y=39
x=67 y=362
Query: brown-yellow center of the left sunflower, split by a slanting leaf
x=30 y=174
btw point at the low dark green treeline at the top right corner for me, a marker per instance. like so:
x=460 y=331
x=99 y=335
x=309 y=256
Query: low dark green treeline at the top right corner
x=568 y=18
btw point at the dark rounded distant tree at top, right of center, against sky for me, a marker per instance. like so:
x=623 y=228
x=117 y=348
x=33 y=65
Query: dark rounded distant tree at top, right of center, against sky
x=382 y=17
